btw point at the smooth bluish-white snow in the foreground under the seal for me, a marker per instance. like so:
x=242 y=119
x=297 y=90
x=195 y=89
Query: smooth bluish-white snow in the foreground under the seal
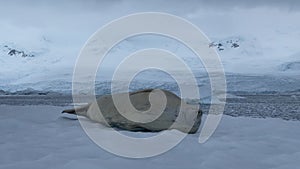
x=40 y=137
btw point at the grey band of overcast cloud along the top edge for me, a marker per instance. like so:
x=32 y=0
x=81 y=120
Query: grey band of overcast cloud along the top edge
x=40 y=12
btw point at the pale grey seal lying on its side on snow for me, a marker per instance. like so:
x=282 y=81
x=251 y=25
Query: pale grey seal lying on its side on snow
x=177 y=114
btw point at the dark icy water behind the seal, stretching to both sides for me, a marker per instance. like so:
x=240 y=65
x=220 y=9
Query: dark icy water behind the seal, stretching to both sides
x=286 y=107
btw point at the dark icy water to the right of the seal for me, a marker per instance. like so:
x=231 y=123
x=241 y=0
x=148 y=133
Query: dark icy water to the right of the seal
x=286 y=107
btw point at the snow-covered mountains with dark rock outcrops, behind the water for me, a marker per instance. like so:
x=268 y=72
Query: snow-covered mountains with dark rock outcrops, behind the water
x=43 y=69
